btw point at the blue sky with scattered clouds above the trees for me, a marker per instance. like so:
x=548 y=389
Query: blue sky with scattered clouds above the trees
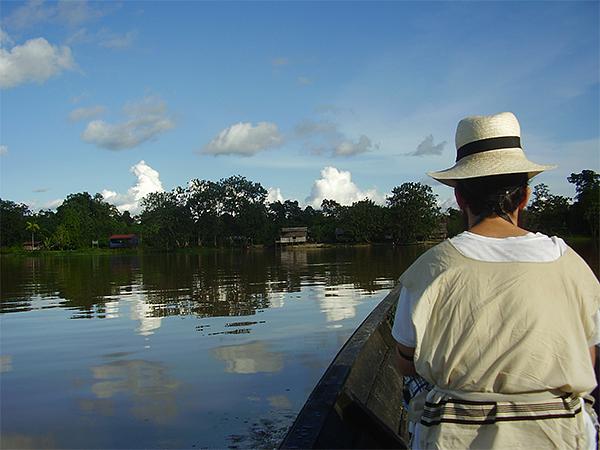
x=311 y=99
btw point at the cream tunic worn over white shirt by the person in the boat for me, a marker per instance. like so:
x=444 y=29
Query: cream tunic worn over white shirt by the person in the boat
x=503 y=331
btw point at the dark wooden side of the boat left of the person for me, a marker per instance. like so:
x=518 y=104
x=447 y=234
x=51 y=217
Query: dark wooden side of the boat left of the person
x=358 y=401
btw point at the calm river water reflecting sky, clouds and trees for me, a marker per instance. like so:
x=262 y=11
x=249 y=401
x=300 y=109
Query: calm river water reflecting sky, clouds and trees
x=215 y=349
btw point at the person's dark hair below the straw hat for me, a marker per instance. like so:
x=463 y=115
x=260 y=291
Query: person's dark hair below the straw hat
x=493 y=195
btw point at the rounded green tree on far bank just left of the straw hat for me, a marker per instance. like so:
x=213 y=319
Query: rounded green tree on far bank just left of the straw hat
x=414 y=212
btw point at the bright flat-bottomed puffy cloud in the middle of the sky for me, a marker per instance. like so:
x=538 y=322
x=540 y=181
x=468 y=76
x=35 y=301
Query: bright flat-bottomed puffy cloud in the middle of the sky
x=245 y=139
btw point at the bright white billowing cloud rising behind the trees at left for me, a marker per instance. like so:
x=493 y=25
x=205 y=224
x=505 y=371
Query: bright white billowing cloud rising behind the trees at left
x=148 y=180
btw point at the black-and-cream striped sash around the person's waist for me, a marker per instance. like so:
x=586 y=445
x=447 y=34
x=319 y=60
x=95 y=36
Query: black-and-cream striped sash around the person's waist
x=470 y=412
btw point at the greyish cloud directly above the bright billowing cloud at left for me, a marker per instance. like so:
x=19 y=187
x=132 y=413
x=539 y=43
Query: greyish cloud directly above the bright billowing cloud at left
x=146 y=120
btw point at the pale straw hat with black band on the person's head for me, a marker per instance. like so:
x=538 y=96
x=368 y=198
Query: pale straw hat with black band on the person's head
x=488 y=145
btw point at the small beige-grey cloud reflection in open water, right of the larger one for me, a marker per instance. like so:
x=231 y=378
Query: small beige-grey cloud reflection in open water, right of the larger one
x=253 y=357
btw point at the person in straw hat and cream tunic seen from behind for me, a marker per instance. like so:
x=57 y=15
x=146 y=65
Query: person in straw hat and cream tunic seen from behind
x=496 y=327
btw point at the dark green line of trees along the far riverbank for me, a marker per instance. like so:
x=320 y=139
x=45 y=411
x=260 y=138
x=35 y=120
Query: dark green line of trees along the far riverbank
x=234 y=212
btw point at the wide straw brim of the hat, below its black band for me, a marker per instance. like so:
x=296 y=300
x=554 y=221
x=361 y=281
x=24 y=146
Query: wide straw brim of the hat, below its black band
x=496 y=162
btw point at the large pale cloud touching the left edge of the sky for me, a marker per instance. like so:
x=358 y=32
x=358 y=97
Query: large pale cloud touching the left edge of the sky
x=35 y=61
